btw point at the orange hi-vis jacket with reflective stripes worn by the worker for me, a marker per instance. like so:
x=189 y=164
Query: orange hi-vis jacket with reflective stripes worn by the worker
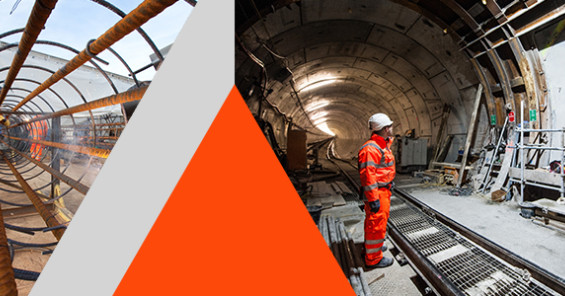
x=376 y=166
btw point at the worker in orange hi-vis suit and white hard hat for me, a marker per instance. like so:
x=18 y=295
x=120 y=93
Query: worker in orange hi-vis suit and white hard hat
x=377 y=170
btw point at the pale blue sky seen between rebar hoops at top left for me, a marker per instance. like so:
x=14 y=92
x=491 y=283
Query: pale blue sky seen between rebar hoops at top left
x=75 y=22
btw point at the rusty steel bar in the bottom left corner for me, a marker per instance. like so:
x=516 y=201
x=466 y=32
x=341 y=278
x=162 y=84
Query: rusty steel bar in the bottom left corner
x=7 y=281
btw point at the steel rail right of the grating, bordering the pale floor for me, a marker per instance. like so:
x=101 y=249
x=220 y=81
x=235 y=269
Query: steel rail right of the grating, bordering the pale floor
x=549 y=279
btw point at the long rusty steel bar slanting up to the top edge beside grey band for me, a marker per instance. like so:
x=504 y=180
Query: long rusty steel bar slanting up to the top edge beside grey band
x=137 y=17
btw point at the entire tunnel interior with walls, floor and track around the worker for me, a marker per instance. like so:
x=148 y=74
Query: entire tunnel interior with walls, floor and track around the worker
x=474 y=92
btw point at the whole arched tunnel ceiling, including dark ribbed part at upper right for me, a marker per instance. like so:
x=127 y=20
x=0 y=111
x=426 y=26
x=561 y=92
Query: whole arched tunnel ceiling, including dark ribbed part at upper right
x=350 y=59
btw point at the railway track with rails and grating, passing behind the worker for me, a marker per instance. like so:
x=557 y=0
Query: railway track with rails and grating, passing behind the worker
x=452 y=259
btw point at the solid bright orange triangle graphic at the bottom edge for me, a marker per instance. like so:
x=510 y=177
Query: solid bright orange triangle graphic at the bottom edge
x=234 y=225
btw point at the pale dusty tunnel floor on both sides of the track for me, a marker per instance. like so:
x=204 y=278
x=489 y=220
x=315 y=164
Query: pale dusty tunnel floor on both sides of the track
x=499 y=222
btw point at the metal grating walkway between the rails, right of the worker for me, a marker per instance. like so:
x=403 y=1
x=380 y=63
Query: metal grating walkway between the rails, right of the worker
x=468 y=267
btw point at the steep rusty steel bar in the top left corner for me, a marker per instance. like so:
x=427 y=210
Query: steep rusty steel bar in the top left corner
x=39 y=15
